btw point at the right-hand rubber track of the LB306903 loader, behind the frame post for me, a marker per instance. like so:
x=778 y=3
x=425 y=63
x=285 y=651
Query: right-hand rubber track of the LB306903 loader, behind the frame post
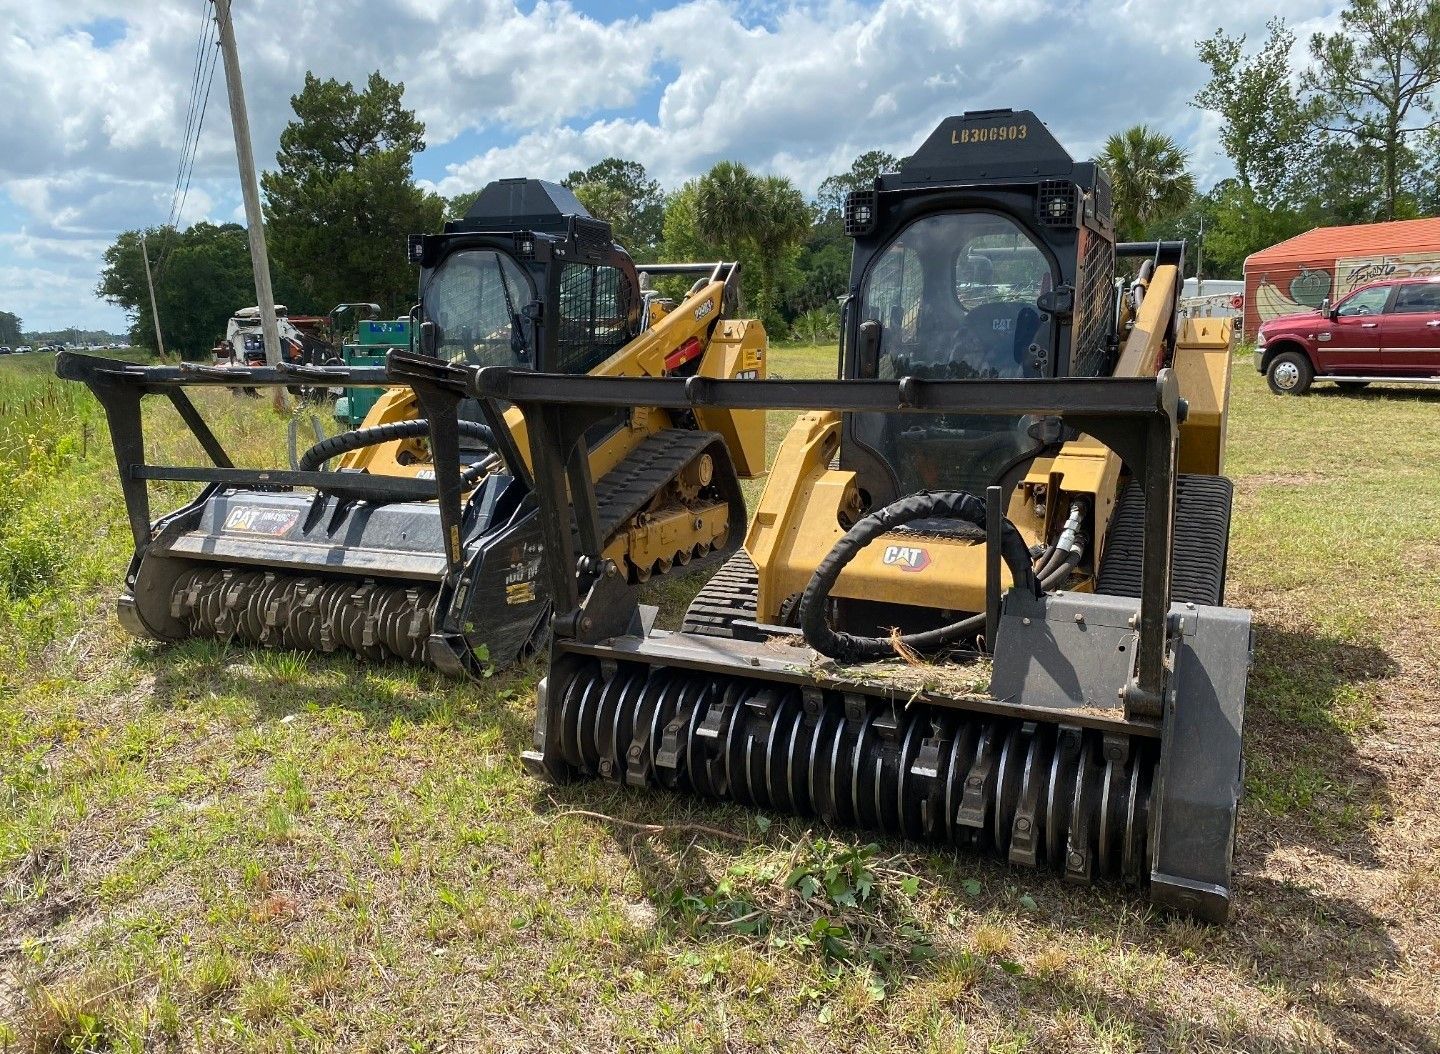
x=1202 y=542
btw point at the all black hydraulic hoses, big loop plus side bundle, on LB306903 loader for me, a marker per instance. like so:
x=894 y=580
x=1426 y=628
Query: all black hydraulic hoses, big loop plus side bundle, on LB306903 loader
x=1056 y=565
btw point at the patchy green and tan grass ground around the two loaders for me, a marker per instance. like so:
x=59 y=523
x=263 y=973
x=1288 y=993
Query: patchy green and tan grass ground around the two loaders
x=204 y=847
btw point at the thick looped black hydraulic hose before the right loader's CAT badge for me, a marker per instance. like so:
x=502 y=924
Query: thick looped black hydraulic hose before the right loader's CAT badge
x=924 y=506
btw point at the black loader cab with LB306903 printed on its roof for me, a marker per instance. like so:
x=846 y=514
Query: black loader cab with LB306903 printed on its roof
x=989 y=257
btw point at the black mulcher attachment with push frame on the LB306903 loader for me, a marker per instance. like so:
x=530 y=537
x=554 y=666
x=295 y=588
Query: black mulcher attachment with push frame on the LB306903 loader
x=1105 y=744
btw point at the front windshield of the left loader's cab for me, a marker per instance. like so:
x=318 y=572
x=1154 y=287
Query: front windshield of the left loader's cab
x=474 y=300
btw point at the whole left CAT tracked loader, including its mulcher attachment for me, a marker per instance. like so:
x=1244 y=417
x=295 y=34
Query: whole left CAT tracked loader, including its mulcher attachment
x=388 y=558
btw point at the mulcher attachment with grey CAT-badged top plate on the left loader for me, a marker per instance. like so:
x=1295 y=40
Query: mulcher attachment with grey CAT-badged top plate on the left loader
x=329 y=561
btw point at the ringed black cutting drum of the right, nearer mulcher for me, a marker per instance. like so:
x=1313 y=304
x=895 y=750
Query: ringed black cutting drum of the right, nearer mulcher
x=1059 y=798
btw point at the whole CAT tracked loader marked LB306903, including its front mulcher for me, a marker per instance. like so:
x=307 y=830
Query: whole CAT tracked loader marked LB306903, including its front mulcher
x=983 y=598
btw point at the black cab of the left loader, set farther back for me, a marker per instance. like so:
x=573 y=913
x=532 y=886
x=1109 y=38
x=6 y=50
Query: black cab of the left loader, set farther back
x=526 y=279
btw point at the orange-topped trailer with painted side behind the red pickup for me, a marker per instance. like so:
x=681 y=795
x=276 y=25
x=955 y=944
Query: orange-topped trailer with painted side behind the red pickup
x=1298 y=274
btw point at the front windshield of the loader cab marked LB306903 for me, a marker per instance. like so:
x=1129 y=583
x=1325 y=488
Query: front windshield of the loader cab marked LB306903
x=955 y=299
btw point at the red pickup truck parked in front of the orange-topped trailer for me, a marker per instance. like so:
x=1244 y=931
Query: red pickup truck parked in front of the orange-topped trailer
x=1385 y=332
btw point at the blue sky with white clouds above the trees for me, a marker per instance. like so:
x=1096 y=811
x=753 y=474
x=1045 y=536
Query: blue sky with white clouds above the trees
x=93 y=100
